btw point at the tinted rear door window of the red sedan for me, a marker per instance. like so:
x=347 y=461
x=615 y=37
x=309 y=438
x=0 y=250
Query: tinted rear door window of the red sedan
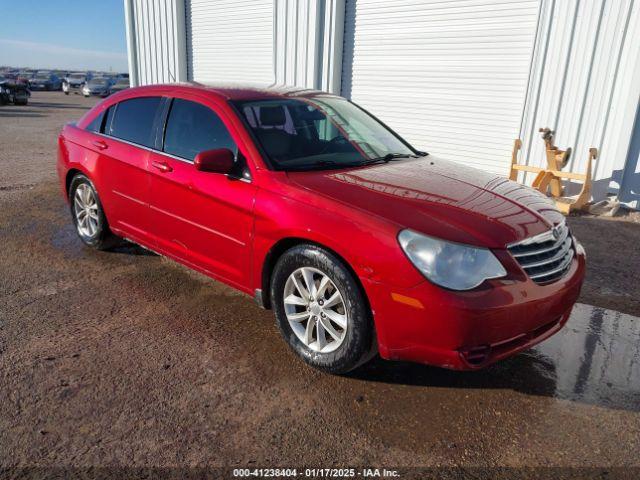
x=133 y=120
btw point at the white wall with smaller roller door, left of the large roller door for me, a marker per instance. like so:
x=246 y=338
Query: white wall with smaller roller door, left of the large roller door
x=260 y=42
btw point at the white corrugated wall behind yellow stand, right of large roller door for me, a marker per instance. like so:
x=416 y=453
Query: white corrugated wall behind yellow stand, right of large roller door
x=586 y=84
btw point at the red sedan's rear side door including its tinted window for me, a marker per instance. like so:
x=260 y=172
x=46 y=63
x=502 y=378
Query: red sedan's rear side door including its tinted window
x=128 y=134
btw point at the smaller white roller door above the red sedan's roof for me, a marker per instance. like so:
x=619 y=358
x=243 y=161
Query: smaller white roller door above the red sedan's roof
x=230 y=41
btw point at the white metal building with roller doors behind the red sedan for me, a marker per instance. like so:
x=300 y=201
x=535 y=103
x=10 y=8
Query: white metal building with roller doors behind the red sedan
x=458 y=78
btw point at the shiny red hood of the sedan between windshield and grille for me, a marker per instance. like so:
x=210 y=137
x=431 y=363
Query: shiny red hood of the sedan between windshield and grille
x=440 y=198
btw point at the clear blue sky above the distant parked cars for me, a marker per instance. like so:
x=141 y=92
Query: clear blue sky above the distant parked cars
x=67 y=34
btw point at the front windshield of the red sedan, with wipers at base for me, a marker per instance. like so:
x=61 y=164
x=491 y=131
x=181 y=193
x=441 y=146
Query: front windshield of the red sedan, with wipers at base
x=319 y=132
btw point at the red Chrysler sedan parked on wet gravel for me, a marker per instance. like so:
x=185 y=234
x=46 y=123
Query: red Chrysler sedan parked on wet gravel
x=359 y=242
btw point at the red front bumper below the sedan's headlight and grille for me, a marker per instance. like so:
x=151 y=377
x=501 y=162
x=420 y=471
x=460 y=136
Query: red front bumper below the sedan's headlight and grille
x=470 y=330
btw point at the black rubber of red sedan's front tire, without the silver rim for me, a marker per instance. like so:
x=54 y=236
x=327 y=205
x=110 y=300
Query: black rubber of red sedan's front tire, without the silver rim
x=356 y=346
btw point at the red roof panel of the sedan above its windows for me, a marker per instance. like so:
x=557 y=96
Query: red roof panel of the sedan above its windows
x=236 y=91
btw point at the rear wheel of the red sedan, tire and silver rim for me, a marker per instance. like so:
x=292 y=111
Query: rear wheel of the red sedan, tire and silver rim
x=96 y=233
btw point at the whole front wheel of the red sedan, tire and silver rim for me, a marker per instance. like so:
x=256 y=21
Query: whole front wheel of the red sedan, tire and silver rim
x=353 y=344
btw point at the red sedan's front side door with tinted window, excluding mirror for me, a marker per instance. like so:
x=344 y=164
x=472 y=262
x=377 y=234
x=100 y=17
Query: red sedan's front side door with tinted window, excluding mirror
x=203 y=218
